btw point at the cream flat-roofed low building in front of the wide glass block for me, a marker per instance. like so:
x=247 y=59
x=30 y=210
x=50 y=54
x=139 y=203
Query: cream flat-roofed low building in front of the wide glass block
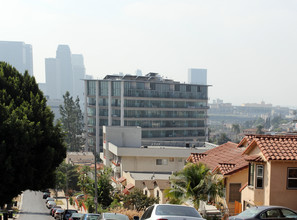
x=132 y=163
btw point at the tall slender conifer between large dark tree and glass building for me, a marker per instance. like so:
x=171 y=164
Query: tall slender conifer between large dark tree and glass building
x=72 y=122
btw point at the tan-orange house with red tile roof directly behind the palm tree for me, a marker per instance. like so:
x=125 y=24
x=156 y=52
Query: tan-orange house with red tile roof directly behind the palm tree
x=228 y=161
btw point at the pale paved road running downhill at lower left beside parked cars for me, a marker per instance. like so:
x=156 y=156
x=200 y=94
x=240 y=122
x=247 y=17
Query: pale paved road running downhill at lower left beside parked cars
x=33 y=207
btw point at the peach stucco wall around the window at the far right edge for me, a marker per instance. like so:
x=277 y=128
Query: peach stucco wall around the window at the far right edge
x=279 y=194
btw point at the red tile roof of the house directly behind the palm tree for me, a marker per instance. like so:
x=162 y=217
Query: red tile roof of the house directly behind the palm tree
x=227 y=158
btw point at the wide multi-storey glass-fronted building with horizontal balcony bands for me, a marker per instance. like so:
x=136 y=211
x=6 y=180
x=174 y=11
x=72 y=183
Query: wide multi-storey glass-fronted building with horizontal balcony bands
x=166 y=110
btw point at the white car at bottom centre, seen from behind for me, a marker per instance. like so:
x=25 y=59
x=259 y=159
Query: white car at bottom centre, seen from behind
x=171 y=212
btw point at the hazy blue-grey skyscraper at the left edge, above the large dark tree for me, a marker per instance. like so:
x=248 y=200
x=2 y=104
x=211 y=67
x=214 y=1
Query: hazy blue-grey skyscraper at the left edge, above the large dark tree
x=18 y=54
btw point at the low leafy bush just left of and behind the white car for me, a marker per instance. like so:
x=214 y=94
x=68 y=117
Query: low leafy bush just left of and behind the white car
x=139 y=200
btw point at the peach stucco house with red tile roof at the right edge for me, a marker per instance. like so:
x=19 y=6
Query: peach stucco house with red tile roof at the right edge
x=272 y=176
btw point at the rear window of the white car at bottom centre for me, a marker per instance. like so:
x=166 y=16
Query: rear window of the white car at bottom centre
x=177 y=211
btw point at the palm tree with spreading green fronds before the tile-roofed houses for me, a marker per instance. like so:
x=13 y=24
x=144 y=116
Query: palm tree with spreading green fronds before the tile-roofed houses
x=194 y=182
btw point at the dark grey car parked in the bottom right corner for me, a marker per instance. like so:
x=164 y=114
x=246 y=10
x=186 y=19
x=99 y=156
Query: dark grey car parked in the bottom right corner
x=266 y=212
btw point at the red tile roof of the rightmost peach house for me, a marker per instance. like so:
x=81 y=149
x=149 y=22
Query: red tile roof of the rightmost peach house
x=275 y=147
